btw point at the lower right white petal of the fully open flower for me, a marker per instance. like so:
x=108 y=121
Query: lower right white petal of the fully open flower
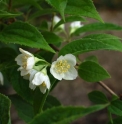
x=71 y=74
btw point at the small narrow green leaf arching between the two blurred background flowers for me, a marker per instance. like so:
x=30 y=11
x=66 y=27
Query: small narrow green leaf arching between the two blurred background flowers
x=69 y=19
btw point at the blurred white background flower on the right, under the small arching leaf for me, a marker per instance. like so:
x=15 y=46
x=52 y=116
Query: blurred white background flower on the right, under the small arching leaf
x=74 y=26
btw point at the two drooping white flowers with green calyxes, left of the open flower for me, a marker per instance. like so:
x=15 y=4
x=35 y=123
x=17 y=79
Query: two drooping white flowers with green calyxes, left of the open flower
x=39 y=78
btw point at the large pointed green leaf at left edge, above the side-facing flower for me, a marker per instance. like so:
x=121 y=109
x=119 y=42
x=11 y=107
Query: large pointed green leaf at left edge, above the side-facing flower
x=24 y=34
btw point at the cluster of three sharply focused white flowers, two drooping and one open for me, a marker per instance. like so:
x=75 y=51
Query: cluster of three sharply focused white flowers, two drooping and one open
x=62 y=68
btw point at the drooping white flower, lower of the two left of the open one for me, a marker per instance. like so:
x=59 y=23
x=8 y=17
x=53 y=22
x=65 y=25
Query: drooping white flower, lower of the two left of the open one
x=39 y=79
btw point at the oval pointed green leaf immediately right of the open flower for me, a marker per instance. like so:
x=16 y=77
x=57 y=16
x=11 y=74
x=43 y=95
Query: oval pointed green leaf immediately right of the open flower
x=92 y=72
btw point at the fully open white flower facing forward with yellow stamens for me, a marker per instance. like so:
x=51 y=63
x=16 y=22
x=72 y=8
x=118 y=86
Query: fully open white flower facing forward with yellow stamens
x=63 y=68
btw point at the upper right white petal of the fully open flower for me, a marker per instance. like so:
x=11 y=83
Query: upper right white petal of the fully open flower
x=71 y=59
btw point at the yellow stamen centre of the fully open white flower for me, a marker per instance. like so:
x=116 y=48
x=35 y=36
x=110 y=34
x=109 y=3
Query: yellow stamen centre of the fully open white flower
x=62 y=66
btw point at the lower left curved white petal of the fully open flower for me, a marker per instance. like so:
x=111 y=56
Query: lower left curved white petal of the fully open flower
x=54 y=73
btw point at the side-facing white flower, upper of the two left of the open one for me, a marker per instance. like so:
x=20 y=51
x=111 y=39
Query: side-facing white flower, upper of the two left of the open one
x=26 y=61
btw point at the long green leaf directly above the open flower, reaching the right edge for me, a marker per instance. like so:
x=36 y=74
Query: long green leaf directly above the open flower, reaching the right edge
x=92 y=43
